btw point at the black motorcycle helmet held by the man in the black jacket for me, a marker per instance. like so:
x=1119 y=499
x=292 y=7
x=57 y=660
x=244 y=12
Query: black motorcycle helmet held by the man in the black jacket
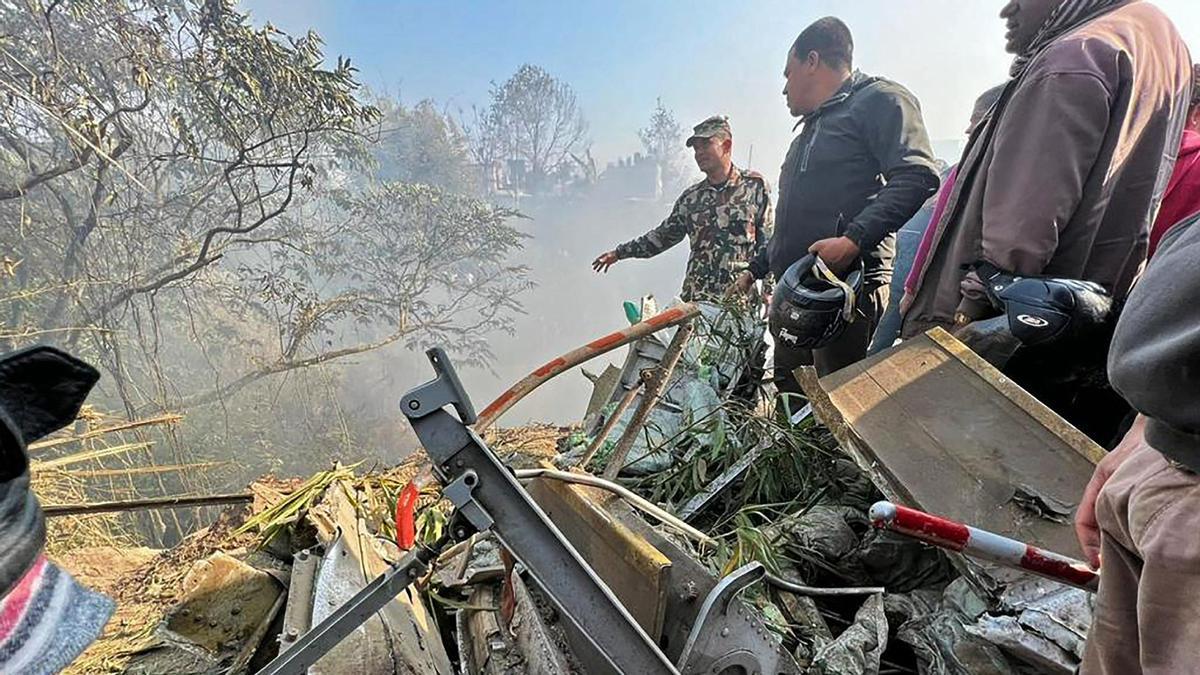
x=812 y=306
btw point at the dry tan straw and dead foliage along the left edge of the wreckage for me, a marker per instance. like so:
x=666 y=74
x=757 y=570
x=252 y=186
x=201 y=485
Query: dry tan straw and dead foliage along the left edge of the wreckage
x=147 y=583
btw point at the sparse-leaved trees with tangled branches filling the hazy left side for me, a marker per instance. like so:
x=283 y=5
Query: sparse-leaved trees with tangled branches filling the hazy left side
x=182 y=204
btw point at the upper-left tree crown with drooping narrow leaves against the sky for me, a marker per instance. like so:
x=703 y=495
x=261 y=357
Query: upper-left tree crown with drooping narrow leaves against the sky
x=143 y=145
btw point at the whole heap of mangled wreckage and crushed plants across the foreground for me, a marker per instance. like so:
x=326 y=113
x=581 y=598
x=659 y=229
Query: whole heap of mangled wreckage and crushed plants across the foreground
x=809 y=587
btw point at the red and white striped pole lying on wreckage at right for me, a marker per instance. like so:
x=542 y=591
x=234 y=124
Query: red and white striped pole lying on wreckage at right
x=983 y=545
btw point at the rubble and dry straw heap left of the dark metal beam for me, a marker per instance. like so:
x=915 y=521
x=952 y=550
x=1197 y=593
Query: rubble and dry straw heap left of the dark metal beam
x=218 y=602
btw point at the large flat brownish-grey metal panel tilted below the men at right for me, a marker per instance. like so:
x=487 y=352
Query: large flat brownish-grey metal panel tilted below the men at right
x=941 y=431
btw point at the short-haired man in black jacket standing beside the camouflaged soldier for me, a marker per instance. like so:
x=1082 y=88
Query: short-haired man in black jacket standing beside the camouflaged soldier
x=856 y=174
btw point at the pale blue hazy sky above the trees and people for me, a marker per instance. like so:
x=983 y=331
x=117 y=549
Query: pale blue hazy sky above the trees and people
x=701 y=58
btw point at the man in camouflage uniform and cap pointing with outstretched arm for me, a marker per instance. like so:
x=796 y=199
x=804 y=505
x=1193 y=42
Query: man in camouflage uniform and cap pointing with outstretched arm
x=727 y=218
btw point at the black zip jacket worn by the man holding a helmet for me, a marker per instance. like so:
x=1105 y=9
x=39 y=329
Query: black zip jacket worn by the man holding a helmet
x=862 y=166
